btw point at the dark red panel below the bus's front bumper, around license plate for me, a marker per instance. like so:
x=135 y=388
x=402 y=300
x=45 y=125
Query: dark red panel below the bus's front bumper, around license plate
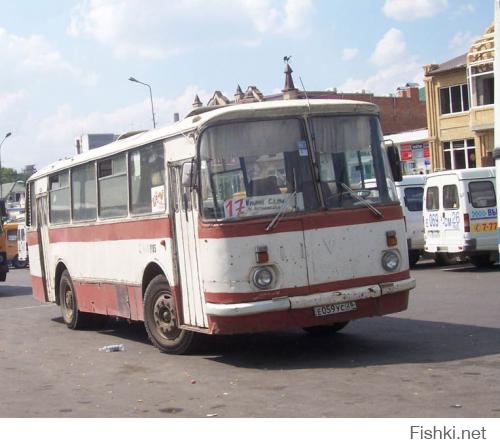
x=302 y=318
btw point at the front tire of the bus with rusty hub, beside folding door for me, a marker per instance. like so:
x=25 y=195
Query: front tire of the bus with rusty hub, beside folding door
x=161 y=319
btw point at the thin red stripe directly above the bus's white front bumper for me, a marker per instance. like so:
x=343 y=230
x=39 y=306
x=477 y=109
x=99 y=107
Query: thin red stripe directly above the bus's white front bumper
x=231 y=297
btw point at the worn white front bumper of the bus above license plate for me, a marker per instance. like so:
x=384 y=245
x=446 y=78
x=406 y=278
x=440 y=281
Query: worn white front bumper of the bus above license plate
x=309 y=301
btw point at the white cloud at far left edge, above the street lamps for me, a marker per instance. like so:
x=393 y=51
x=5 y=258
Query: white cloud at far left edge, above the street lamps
x=36 y=54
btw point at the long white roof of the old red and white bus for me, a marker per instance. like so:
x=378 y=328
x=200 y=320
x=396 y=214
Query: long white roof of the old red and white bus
x=195 y=121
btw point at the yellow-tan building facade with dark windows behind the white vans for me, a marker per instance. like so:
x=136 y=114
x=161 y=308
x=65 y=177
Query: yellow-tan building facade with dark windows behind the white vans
x=460 y=107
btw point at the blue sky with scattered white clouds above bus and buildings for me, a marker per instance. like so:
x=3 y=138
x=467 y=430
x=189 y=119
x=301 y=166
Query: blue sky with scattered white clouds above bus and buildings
x=65 y=64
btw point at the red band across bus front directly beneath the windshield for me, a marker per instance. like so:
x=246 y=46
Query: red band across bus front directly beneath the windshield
x=318 y=220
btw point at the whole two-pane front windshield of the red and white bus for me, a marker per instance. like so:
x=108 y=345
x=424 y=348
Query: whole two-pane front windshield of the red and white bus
x=264 y=167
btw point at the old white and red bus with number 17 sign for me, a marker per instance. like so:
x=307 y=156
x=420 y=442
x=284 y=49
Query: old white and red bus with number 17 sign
x=237 y=219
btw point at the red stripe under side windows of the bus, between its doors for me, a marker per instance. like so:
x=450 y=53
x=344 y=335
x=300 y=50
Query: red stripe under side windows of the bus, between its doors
x=126 y=230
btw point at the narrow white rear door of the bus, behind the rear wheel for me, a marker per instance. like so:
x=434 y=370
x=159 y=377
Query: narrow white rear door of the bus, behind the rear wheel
x=42 y=211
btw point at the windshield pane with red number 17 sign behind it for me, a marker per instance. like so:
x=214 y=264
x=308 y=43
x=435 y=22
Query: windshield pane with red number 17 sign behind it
x=255 y=168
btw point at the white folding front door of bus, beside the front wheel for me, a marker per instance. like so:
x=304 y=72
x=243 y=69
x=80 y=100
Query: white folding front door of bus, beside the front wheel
x=185 y=215
